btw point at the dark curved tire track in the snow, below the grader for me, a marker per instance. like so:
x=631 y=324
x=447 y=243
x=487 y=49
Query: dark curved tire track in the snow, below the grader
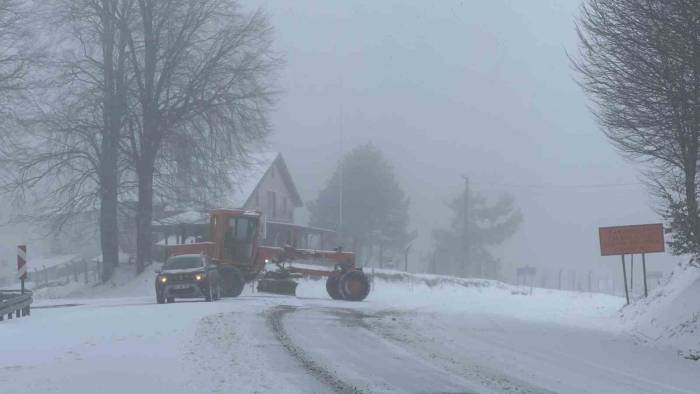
x=327 y=377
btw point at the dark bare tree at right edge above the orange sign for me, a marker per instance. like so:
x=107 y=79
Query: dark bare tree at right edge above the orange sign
x=639 y=61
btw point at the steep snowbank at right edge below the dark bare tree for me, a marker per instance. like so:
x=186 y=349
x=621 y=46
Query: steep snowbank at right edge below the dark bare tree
x=671 y=314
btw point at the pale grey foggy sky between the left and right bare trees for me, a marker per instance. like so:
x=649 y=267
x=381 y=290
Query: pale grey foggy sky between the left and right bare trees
x=480 y=88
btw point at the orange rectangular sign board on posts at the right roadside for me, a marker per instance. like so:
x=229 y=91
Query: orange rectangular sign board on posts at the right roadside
x=642 y=238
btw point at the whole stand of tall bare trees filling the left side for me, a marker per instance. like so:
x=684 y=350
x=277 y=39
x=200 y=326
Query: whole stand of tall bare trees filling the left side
x=114 y=105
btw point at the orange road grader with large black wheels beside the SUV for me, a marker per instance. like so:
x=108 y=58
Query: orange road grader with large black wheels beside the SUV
x=234 y=246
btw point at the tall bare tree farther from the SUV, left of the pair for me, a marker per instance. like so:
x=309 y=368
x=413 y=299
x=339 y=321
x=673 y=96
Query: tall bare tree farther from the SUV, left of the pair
x=65 y=162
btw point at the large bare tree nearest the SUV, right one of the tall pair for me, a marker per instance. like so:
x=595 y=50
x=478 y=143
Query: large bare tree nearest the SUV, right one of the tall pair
x=203 y=83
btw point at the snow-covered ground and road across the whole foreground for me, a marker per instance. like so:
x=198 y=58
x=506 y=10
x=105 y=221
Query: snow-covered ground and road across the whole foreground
x=415 y=335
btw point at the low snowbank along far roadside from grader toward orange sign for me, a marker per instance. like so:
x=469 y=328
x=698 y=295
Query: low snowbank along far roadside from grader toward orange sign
x=461 y=296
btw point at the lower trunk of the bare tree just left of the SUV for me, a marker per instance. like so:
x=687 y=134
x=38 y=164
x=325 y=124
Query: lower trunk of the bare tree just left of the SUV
x=144 y=214
